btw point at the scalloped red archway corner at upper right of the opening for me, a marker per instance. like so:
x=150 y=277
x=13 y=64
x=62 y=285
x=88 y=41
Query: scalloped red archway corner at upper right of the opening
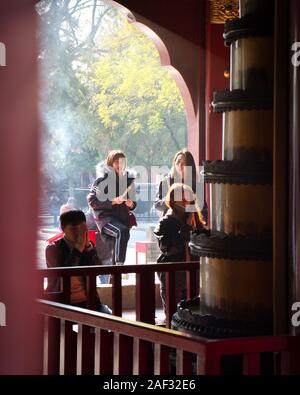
x=181 y=52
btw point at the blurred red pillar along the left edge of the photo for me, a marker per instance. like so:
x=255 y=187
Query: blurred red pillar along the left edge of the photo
x=20 y=351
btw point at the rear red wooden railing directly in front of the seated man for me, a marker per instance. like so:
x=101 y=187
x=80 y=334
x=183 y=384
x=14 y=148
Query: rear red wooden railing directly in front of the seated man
x=145 y=286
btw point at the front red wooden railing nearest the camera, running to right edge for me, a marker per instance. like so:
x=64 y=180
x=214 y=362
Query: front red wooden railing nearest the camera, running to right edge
x=112 y=345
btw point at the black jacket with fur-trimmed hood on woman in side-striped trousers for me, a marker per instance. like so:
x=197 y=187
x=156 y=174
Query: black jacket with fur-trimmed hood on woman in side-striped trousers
x=102 y=208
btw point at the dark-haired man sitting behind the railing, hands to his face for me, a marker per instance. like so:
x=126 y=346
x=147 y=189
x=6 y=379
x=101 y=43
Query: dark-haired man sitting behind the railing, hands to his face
x=74 y=249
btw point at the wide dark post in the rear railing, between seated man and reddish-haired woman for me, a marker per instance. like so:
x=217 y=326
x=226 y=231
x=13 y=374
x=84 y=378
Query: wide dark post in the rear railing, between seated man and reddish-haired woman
x=145 y=297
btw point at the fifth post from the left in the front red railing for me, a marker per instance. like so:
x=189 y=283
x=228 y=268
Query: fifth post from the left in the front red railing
x=123 y=354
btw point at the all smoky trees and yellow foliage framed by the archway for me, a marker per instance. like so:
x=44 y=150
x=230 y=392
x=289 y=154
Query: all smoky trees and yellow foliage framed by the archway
x=102 y=88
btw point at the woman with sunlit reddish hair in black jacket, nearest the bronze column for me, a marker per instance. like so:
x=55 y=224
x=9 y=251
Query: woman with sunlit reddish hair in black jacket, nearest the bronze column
x=173 y=233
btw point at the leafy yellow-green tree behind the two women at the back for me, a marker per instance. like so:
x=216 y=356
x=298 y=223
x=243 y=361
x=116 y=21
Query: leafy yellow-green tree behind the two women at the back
x=137 y=100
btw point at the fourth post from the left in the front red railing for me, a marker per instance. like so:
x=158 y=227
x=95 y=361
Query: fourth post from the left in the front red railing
x=104 y=346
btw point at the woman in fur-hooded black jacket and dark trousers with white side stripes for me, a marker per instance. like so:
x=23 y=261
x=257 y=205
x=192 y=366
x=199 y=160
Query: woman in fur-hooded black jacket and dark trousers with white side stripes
x=112 y=197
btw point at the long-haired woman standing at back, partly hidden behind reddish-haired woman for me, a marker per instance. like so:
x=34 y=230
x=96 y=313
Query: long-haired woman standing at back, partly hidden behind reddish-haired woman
x=183 y=171
